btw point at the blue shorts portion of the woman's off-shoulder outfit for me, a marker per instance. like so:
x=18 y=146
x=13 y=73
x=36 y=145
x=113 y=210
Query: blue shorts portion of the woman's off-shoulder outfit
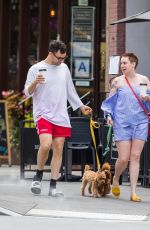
x=131 y=132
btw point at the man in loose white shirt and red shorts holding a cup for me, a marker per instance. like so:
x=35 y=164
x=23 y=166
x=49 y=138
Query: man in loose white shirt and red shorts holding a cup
x=50 y=92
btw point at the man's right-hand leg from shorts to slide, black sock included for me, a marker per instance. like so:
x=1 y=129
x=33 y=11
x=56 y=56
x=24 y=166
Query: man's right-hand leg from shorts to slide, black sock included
x=56 y=162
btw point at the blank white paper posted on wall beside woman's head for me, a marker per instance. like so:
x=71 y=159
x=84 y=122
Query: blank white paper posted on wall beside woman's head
x=114 y=65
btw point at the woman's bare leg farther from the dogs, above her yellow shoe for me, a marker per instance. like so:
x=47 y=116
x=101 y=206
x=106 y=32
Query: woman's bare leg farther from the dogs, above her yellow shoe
x=136 y=149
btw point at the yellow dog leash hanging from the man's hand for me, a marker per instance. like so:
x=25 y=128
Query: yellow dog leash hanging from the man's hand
x=96 y=125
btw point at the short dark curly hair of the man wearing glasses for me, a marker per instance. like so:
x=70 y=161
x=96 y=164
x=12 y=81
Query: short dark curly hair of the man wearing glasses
x=56 y=45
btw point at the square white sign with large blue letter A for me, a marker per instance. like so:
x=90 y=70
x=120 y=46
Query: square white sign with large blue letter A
x=82 y=67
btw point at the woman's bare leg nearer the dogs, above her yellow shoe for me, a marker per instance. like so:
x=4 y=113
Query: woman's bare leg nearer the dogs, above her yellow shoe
x=124 y=149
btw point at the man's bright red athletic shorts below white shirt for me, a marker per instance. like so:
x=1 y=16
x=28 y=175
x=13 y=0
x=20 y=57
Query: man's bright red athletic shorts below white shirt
x=44 y=126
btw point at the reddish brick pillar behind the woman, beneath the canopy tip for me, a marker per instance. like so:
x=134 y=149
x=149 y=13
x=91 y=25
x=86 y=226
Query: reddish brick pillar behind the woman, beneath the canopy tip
x=115 y=34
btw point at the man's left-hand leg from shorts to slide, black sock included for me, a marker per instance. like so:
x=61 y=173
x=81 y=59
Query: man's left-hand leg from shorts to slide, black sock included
x=42 y=156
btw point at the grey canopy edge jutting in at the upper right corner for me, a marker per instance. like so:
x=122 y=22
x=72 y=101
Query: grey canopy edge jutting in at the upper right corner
x=140 y=17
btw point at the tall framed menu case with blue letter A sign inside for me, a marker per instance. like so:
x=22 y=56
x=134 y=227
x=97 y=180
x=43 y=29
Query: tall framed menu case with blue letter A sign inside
x=82 y=43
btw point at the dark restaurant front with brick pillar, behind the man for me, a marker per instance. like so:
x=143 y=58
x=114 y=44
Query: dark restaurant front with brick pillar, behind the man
x=26 y=27
